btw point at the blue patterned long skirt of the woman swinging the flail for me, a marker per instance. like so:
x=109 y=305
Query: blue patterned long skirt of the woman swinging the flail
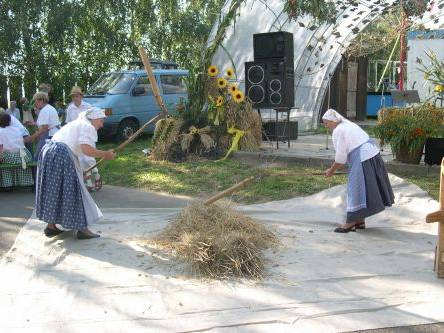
x=58 y=195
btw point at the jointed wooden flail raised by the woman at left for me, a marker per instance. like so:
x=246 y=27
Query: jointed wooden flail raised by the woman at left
x=156 y=93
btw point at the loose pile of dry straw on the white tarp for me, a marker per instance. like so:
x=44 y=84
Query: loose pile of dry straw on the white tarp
x=218 y=242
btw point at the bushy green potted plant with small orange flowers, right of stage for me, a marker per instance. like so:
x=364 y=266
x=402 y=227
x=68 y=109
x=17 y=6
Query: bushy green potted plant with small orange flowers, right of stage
x=406 y=129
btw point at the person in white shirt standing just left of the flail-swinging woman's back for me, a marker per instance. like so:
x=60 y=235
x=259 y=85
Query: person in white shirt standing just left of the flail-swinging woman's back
x=47 y=121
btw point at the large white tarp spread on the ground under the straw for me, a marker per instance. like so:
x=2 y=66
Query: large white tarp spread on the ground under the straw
x=318 y=281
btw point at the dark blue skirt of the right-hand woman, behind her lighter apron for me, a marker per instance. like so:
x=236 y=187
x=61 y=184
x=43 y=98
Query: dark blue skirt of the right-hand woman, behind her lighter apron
x=379 y=193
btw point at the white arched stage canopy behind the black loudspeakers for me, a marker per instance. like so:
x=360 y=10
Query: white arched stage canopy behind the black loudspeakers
x=317 y=48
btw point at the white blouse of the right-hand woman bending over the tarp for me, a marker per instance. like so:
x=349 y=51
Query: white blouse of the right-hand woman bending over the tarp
x=348 y=136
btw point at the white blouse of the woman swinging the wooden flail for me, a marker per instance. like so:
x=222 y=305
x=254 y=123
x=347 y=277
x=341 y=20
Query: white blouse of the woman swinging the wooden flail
x=76 y=133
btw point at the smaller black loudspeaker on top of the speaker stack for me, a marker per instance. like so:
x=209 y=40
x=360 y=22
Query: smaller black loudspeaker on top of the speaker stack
x=273 y=45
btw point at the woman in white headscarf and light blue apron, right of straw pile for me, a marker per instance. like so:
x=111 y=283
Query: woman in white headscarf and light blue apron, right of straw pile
x=368 y=187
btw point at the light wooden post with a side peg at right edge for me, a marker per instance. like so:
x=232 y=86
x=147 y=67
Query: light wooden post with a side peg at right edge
x=438 y=216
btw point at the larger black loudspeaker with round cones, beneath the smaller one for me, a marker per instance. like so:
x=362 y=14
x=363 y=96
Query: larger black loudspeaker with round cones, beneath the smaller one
x=269 y=83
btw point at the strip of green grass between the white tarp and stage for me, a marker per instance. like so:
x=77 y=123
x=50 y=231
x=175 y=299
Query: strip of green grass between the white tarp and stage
x=204 y=178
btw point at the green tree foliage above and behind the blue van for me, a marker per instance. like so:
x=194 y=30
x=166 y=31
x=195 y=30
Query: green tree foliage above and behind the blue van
x=67 y=42
